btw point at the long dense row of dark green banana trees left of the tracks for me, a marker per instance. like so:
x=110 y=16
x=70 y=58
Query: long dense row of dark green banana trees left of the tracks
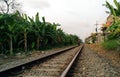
x=21 y=33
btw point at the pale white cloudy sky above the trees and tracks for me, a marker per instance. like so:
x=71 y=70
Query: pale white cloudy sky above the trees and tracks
x=75 y=16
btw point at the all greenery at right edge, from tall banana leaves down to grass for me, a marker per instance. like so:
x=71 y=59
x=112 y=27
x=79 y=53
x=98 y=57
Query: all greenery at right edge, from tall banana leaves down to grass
x=113 y=32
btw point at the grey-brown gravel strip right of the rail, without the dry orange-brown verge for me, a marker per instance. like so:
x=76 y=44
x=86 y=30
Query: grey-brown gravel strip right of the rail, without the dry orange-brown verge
x=90 y=64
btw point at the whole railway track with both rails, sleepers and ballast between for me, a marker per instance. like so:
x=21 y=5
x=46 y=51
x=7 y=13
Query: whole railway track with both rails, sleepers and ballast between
x=55 y=65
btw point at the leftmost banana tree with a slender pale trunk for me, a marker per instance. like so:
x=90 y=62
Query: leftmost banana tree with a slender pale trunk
x=10 y=28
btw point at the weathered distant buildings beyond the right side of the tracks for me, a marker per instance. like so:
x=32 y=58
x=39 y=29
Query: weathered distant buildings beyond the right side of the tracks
x=99 y=37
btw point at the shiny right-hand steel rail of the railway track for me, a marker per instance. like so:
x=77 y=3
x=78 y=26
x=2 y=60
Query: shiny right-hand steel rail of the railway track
x=65 y=72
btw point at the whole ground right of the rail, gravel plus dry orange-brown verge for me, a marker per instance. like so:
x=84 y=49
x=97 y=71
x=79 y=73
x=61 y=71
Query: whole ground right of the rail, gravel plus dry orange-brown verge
x=96 y=62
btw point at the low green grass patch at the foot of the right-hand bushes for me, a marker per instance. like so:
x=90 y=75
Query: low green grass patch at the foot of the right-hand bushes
x=112 y=44
